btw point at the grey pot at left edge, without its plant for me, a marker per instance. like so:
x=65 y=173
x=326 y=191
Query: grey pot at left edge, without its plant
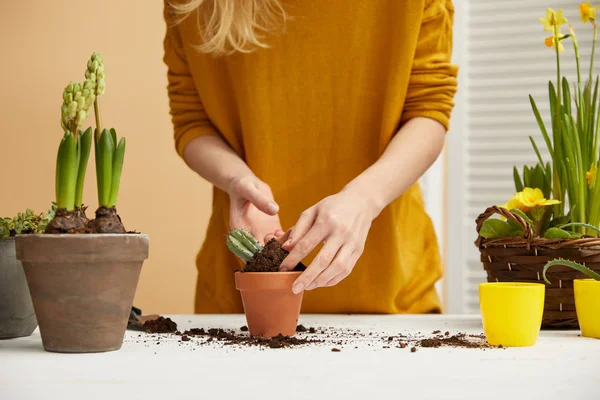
x=17 y=318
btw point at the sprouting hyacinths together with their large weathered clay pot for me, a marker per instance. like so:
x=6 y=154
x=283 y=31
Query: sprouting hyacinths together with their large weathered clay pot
x=83 y=280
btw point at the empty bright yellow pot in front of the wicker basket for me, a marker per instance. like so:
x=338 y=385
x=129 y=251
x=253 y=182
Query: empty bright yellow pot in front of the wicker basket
x=511 y=312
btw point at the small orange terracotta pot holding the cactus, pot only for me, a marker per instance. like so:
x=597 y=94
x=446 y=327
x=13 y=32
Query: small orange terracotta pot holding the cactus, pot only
x=270 y=305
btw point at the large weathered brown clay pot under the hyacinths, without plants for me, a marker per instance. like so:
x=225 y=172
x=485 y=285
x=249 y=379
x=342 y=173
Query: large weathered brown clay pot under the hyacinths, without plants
x=82 y=287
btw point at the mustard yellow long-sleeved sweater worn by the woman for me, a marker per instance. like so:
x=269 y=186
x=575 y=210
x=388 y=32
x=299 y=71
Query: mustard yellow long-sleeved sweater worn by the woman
x=308 y=115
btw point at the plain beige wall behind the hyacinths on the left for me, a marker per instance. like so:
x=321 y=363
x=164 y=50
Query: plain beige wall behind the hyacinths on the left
x=45 y=44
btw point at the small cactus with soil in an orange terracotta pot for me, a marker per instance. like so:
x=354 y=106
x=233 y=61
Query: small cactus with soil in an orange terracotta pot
x=270 y=306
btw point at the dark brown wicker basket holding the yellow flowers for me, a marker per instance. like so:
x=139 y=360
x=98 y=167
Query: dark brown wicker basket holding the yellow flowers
x=523 y=259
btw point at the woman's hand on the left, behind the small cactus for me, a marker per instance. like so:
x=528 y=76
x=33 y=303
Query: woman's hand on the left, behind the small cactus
x=253 y=208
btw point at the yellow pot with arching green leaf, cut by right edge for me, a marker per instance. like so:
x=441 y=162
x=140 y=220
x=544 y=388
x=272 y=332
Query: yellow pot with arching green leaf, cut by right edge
x=587 y=296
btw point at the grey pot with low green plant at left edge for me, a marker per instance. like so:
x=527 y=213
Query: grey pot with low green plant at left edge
x=17 y=318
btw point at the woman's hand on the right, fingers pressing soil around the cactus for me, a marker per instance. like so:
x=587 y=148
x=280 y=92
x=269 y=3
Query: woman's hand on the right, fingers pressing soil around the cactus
x=341 y=222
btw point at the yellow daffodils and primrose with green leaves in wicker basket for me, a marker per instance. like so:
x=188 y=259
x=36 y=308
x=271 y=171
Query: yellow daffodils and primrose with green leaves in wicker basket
x=570 y=176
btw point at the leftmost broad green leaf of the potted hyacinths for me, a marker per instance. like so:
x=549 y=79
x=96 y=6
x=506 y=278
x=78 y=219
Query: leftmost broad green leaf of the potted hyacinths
x=67 y=173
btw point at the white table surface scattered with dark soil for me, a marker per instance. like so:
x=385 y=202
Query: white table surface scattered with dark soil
x=562 y=365
